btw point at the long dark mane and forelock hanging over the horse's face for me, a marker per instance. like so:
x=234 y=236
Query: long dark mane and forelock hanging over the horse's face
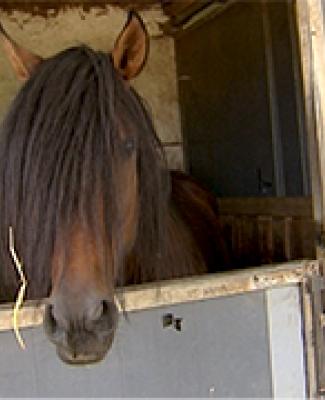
x=56 y=152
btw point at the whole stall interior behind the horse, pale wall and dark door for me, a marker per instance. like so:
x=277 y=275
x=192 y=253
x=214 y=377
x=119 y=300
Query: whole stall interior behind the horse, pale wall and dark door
x=223 y=83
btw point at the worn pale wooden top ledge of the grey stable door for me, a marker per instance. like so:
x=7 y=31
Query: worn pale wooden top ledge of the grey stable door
x=184 y=290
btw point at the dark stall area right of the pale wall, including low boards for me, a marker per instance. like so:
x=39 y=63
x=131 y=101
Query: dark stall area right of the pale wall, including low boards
x=243 y=126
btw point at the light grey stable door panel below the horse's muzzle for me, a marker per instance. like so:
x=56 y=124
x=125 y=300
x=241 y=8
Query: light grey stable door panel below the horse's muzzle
x=221 y=351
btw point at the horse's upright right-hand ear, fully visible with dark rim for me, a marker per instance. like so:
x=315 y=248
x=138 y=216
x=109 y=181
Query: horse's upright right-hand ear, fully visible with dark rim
x=131 y=47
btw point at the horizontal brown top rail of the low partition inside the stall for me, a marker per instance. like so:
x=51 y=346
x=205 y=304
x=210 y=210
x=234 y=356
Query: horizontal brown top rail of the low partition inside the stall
x=280 y=207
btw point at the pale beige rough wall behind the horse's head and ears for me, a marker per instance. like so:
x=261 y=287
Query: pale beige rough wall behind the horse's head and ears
x=98 y=28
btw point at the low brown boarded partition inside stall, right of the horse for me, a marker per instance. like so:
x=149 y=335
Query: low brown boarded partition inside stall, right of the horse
x=267 y=230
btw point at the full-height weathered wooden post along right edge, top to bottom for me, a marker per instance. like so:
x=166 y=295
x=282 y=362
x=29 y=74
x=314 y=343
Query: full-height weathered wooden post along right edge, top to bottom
x=310 y=17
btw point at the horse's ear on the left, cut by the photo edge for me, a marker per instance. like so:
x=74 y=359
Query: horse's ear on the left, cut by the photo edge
x=22 y=60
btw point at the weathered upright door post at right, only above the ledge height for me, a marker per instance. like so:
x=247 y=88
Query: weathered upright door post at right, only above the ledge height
x=310 y=24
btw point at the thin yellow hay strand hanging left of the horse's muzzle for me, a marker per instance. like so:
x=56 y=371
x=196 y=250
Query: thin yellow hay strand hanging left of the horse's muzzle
x=22 y=289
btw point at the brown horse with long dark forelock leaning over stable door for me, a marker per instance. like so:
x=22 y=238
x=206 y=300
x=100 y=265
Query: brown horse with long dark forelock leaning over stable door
x=85 y=187
